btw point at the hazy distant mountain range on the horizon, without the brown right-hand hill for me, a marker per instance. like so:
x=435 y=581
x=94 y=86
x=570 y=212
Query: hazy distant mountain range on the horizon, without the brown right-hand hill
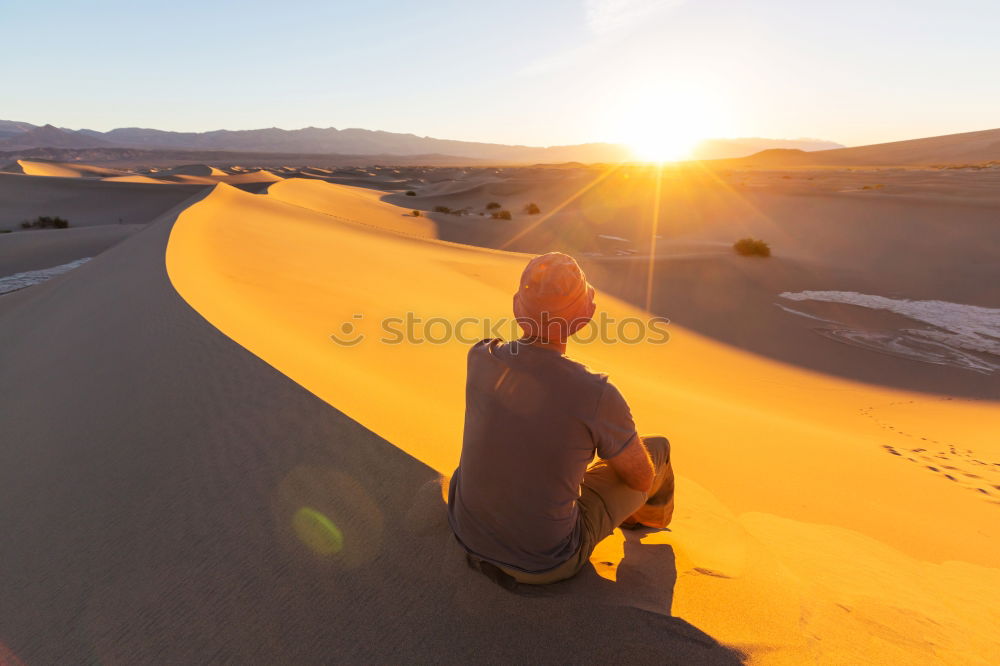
x=16 y=136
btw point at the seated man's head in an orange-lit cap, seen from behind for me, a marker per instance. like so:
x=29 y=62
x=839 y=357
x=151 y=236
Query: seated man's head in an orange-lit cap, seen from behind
x=554 y=299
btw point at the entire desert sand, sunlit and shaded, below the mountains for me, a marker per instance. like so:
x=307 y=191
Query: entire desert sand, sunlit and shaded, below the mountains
x=171 y=489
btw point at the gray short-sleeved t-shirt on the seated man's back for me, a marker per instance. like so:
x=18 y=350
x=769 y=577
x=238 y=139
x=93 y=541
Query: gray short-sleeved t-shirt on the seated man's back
x=533 y=421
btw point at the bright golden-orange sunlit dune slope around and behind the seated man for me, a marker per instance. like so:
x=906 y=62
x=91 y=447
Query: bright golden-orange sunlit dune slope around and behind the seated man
x=809 y=525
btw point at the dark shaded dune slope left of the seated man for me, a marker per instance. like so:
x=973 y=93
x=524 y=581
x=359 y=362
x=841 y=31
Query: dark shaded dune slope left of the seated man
x=151 y=475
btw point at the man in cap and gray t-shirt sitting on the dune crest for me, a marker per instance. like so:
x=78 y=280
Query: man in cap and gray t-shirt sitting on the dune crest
x=526 y=501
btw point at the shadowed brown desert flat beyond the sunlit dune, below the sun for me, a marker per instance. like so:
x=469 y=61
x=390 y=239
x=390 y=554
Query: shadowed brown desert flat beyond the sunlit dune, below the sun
x=866 y=241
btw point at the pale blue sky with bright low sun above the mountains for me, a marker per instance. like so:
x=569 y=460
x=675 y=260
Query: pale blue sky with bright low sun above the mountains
x=520 y=71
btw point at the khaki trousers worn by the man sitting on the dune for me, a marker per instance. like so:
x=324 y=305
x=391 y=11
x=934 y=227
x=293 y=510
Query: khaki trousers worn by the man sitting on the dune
x=605 y=502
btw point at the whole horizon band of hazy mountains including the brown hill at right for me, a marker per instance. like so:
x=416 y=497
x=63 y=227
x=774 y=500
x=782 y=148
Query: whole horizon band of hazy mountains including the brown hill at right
x=357 y=146
